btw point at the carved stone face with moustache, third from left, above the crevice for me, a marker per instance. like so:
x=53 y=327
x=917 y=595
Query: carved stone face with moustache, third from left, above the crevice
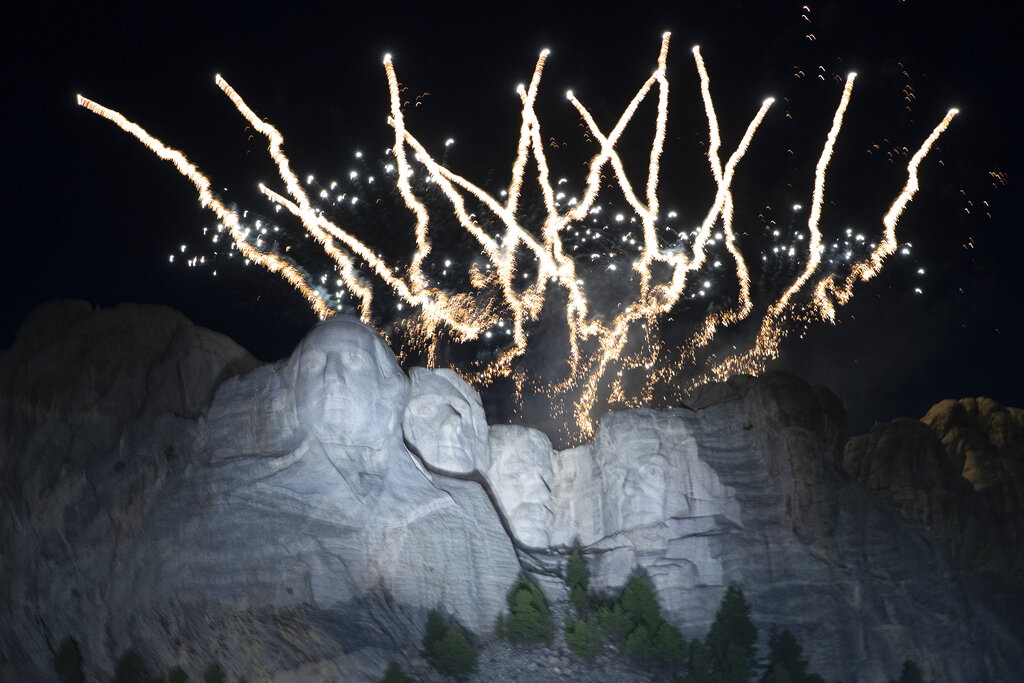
x=520 y=477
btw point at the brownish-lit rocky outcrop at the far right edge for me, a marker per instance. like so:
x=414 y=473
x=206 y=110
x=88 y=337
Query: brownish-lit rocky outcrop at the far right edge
x=960 y=471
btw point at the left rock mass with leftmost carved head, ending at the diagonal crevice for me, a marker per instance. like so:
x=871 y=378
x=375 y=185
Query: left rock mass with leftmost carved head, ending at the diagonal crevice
x=287 y=521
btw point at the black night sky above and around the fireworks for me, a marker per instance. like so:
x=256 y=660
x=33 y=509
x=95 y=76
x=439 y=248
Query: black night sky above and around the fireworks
x=90 y=214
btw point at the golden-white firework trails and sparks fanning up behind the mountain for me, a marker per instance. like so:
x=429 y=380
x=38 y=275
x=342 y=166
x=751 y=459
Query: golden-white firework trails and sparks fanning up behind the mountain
x=615 y=356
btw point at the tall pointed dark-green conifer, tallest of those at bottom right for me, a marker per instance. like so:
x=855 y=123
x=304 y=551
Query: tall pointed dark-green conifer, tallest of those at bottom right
x=734 y=628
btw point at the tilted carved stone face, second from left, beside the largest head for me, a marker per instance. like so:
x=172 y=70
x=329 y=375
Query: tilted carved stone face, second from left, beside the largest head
x=445 y=422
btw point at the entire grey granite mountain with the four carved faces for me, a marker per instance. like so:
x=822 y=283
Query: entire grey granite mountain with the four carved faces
x=164 y=492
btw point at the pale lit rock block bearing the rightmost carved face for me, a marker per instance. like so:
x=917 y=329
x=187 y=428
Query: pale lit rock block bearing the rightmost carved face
x=641 y=498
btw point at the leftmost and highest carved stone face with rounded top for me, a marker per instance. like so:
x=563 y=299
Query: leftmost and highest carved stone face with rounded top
x=350 y=390
